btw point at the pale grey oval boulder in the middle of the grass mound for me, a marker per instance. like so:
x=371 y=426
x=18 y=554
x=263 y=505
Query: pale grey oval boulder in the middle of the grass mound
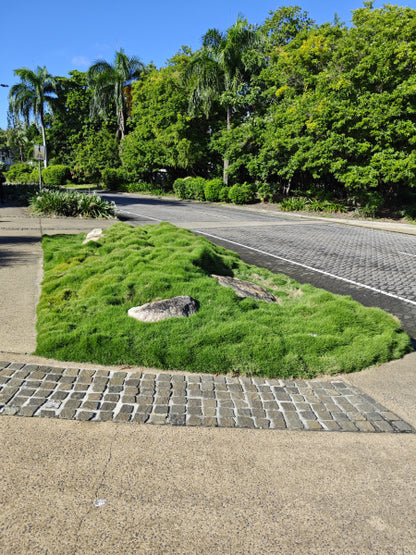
x=177 y=307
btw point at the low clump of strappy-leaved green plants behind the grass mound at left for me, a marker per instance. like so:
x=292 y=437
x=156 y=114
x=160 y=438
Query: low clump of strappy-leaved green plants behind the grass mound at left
x=71 y=204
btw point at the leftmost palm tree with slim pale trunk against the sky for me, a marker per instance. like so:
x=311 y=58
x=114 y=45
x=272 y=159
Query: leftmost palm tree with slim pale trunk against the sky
x=36 y=88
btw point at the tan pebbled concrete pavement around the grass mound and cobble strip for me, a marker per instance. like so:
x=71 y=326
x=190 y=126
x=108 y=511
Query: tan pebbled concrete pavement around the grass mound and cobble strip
x=103 y=487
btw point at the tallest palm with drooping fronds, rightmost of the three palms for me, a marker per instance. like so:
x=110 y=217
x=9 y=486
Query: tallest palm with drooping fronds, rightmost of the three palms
x=219 y=70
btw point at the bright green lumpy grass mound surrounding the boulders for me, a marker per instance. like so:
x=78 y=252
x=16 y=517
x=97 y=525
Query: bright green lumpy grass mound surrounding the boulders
x=87 y=290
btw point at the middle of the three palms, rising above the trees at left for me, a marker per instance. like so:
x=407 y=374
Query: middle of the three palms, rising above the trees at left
x=111 y=86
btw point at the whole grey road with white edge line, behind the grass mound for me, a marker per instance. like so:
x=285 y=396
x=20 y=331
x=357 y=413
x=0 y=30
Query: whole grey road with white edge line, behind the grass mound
x=377 y=268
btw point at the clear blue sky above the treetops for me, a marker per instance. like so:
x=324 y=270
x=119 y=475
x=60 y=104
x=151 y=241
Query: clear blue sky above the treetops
x=72 y=35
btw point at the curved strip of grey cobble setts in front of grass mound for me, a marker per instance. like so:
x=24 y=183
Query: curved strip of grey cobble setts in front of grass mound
x=191 y=400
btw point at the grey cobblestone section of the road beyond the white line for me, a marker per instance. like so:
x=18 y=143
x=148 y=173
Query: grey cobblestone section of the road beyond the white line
x=380 y=259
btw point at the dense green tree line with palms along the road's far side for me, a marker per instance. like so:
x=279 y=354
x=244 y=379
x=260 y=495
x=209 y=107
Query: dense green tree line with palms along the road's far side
x=320 y=112
